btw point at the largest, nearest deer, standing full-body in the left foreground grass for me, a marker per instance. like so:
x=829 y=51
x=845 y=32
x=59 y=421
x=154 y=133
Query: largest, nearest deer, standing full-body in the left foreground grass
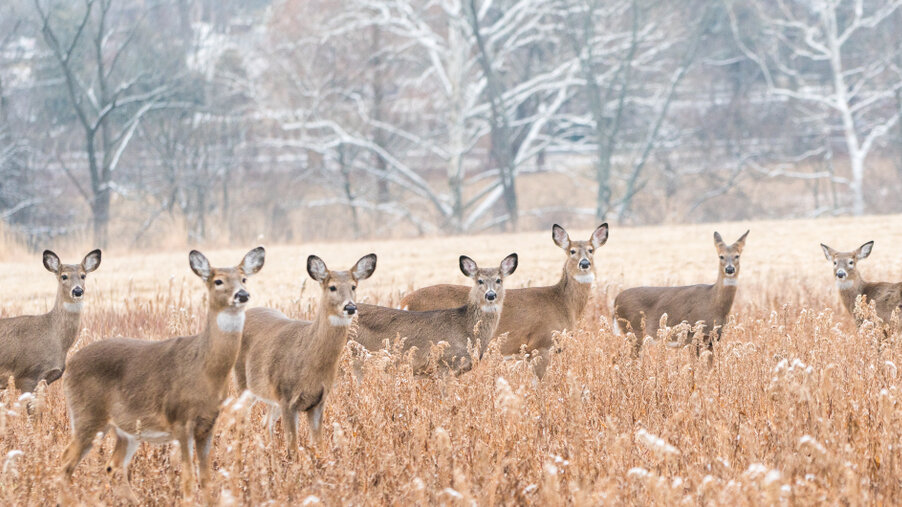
x=161 y=391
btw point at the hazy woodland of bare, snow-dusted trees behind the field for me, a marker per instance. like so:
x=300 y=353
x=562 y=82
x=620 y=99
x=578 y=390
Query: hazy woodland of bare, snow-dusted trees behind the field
x=149 y=123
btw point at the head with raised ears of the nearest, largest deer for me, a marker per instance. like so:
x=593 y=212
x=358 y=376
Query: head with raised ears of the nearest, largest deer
x=225 y=286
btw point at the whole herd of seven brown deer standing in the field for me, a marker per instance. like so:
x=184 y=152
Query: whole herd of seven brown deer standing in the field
x=161 y=391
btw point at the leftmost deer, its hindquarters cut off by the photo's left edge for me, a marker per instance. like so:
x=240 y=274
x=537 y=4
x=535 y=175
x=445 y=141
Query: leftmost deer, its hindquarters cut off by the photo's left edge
x=33 y=347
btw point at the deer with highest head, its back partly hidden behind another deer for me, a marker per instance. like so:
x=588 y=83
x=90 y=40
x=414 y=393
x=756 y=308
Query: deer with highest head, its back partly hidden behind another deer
x=532 y=315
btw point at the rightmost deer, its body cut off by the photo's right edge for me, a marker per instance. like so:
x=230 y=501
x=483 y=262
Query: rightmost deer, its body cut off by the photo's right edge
x=886 y=296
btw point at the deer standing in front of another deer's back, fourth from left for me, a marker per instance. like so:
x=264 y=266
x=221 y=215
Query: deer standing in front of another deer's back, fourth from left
x=474 y=322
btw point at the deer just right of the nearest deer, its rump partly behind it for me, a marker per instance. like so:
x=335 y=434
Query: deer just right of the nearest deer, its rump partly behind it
x=291 y=364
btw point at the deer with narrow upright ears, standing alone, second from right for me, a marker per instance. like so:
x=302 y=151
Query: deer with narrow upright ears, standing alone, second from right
x=641 y=308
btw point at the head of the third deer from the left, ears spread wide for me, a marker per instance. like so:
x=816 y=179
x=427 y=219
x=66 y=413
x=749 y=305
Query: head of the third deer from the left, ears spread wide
x=340 y=287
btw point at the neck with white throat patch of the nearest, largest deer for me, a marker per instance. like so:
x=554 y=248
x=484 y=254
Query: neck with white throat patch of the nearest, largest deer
x=221 y=340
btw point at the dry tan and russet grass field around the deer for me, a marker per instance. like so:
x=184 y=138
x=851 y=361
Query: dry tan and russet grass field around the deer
x=796 y=406
